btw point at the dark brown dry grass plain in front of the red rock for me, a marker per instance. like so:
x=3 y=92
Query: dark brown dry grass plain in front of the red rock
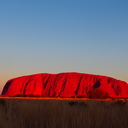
x=50 y=113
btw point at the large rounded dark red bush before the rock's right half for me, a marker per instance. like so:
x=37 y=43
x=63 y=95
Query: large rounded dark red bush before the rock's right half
x=97 y=93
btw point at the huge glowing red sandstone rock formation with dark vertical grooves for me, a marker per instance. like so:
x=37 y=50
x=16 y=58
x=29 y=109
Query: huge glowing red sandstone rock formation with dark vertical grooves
x=66 y=85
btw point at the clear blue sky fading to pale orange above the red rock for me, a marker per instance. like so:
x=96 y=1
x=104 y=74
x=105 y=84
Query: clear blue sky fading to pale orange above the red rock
x=54 y=36
